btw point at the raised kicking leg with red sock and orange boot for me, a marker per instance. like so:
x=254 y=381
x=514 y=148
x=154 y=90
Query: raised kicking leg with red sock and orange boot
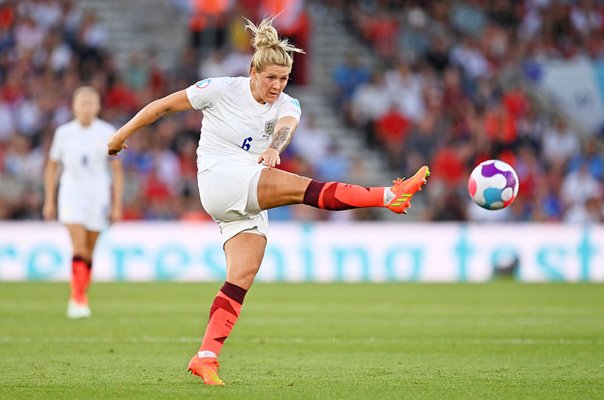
x=278 y=188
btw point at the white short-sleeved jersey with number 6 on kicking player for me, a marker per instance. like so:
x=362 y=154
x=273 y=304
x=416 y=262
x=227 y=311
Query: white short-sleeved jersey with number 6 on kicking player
x=235 y=128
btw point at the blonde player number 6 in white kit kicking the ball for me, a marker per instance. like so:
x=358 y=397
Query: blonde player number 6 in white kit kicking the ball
x=247 y=123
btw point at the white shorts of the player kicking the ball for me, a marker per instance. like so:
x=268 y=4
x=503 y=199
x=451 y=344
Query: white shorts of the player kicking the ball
x=230 y=195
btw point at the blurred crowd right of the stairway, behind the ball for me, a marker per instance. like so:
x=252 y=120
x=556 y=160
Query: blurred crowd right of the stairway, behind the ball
x=439 y=96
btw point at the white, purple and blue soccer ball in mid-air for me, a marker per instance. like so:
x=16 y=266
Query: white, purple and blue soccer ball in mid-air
x=493 y=185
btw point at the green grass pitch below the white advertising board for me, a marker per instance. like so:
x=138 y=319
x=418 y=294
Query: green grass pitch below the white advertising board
x=500 y=340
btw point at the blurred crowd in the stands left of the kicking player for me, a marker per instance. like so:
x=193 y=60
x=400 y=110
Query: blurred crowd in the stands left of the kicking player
x=50 y=47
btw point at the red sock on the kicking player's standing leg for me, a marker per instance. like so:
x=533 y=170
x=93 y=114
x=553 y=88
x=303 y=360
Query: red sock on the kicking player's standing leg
x=223 y=316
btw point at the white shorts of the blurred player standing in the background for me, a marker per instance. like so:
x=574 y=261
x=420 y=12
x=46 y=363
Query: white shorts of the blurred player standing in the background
x=88 y=209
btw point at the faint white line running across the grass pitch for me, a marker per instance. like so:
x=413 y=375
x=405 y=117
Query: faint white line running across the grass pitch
x=306 y=341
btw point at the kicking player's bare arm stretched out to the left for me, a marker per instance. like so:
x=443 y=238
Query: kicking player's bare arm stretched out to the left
x=153 y=111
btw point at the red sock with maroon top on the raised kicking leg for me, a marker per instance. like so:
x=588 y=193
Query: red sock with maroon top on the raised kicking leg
x=342 y=196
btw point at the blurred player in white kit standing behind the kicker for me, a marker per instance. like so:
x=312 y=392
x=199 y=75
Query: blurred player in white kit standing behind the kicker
x=87 y=199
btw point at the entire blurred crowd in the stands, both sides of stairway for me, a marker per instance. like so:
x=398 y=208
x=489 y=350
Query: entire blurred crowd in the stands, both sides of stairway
x=435 y=96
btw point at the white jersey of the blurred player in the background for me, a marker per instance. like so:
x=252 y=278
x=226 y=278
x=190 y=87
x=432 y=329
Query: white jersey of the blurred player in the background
x=83 y=153
